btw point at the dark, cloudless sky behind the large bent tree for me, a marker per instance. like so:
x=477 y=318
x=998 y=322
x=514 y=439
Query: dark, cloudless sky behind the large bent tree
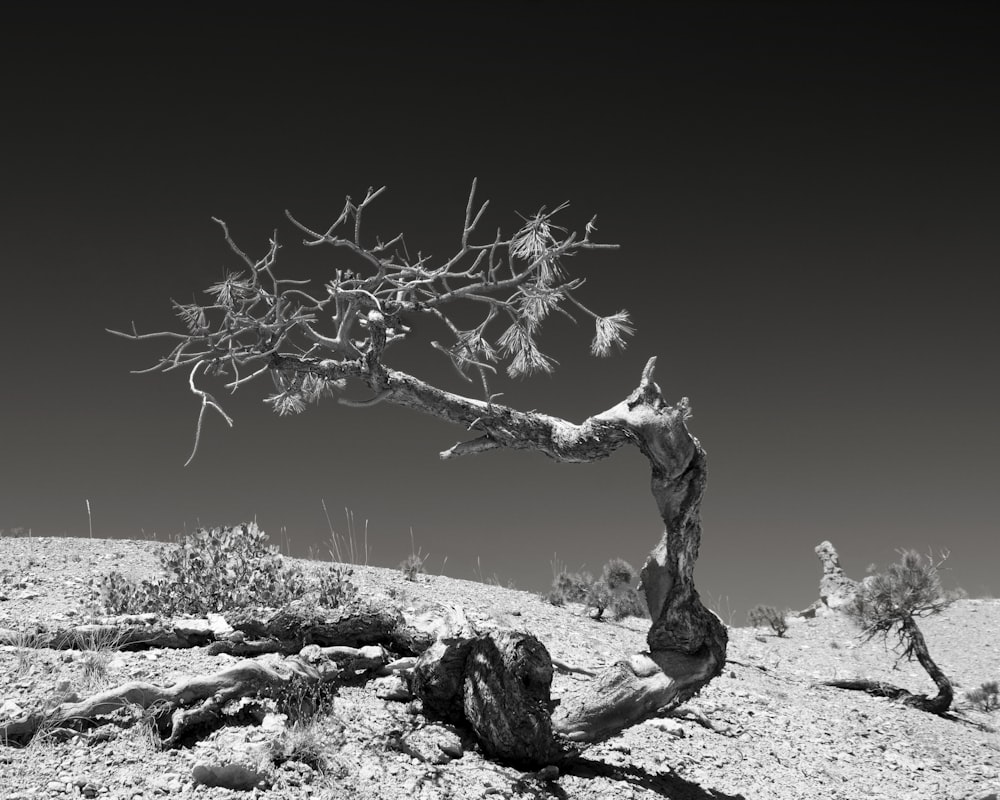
x=806 y=199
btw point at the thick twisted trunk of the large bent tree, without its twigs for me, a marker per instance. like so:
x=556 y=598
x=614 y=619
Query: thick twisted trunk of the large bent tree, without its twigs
x=687 y=643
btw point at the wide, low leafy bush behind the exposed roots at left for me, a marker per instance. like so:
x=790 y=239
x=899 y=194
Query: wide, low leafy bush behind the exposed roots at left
x=216 y=570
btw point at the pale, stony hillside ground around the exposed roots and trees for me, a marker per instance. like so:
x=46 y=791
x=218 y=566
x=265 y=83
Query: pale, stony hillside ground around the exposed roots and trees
x=761 y=730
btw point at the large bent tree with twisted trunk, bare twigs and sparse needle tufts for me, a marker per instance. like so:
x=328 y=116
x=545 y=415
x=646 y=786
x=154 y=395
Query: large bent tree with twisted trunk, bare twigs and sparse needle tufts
x=311 y=343
